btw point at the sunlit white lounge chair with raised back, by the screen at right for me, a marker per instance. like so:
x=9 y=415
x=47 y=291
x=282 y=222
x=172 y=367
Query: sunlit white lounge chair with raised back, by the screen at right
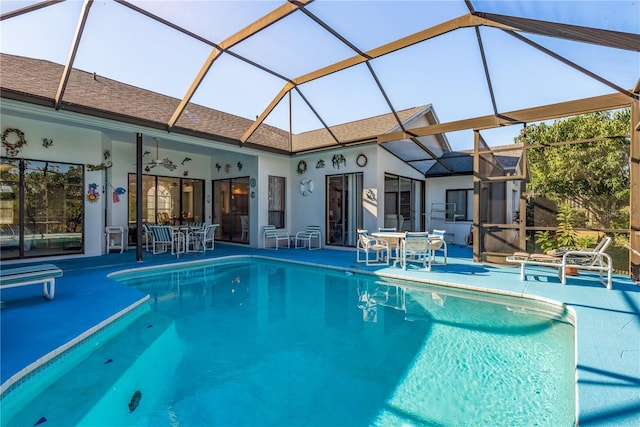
x=580 y=259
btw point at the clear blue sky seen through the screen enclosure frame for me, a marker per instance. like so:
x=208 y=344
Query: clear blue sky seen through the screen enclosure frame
x=446 y=71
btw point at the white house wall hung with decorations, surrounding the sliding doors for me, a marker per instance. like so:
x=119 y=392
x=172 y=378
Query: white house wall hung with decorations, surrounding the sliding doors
x=84 y=140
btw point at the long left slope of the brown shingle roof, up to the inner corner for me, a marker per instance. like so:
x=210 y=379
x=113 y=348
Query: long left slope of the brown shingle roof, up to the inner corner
x=99 y=95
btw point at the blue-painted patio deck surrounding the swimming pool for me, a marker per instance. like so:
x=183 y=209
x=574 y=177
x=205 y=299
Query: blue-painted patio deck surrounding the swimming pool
x=608 y=321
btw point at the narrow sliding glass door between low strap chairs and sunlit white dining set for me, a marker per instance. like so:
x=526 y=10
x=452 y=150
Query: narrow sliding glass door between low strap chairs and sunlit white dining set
x=344 y=208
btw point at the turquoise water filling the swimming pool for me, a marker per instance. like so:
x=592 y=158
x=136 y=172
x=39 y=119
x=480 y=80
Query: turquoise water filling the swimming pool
x=265 y=343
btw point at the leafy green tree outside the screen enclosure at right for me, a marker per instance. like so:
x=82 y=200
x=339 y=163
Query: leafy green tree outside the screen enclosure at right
x=592 y=175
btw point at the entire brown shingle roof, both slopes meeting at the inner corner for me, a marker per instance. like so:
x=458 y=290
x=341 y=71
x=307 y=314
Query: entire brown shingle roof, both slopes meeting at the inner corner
x=28 y=78
